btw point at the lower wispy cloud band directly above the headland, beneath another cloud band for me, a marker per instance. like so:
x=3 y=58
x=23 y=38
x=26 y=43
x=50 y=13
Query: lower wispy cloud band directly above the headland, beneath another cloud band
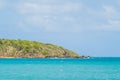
x=50 y=24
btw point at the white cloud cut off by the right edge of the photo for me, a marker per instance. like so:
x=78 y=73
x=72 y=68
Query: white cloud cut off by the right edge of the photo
x=113 y=19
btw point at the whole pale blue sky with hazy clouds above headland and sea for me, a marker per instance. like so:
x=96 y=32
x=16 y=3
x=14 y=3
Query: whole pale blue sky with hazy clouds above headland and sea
x=88 y=27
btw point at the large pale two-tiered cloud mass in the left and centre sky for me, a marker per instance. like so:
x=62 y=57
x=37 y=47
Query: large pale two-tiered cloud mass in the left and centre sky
x=47 y=16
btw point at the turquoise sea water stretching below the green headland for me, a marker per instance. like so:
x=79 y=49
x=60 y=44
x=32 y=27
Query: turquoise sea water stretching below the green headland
x=60 y=69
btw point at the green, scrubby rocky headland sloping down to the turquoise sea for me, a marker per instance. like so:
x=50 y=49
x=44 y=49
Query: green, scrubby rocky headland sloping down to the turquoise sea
x=32 y=49
